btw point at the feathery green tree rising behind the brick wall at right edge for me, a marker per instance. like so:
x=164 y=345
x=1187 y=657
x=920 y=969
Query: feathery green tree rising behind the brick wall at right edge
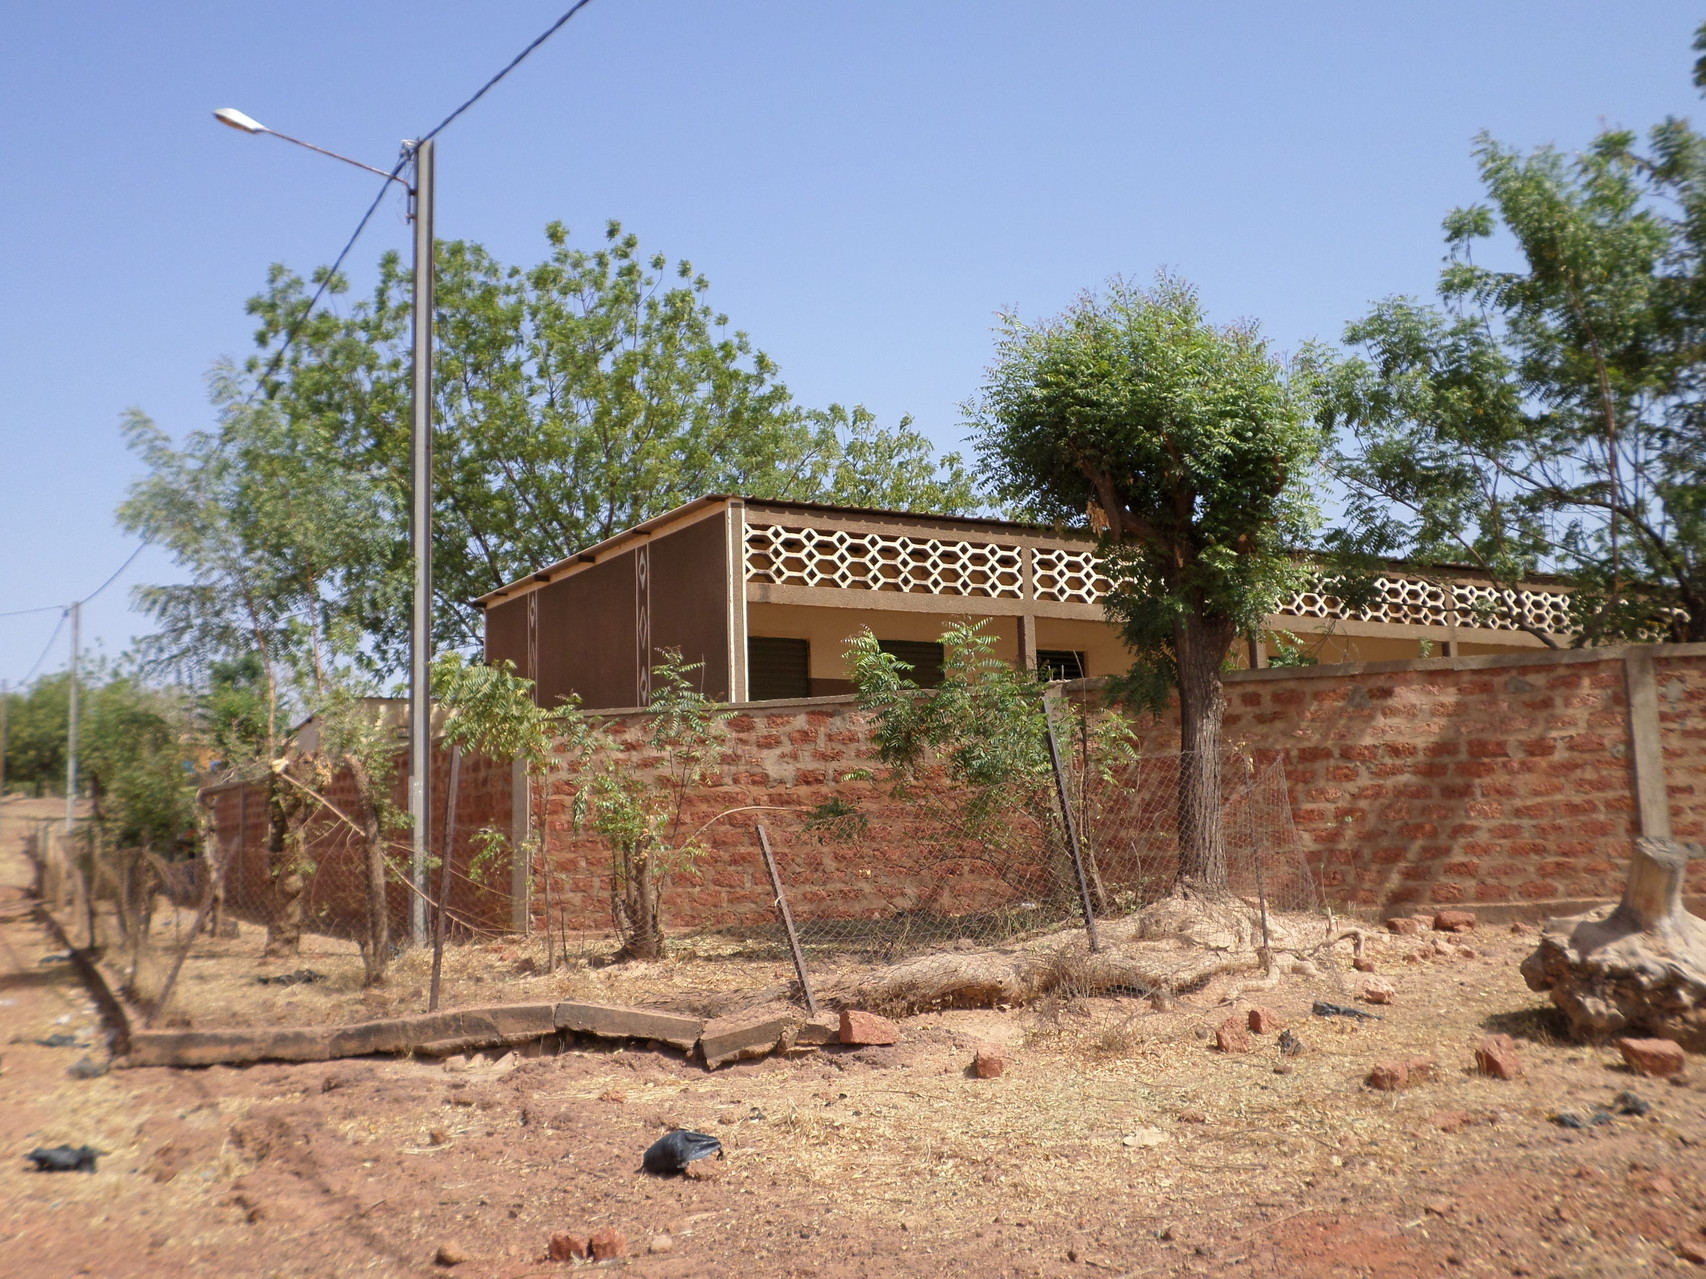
x=1548 y=417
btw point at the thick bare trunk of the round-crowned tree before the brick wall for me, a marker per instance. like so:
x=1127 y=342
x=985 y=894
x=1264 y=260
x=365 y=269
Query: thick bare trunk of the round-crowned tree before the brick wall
x=1202 y=649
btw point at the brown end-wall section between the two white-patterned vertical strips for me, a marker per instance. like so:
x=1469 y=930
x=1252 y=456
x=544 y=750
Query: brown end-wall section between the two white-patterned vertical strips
x=588 y=639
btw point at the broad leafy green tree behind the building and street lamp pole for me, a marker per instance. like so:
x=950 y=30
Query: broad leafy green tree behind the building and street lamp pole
x=576 y=398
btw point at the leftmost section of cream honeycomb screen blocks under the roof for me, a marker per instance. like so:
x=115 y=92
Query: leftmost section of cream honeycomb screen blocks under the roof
x=787 y=557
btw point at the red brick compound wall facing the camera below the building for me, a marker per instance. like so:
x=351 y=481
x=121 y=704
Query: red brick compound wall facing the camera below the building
x=1497 y=782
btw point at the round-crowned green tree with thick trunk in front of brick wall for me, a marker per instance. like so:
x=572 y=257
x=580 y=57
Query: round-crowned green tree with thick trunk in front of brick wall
x=1188 y=449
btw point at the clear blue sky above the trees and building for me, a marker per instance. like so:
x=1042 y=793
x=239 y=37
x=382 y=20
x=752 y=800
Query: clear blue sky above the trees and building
x=866 y=185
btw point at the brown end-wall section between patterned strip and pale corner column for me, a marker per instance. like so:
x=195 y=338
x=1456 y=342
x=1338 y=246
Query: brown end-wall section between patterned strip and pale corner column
x=690 y=599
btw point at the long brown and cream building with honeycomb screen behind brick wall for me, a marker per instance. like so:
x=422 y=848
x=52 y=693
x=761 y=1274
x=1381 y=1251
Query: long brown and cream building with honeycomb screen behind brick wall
x=767 y=594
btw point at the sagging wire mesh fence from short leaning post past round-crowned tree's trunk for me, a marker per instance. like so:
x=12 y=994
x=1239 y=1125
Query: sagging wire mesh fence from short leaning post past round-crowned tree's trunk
x=931 y=903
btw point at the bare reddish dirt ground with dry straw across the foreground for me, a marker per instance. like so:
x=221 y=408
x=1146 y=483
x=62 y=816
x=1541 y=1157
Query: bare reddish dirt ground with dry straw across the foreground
x=1118 y=1143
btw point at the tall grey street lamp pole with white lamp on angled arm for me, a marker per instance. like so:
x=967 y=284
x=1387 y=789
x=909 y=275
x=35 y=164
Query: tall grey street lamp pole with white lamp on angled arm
x=421 y=497
